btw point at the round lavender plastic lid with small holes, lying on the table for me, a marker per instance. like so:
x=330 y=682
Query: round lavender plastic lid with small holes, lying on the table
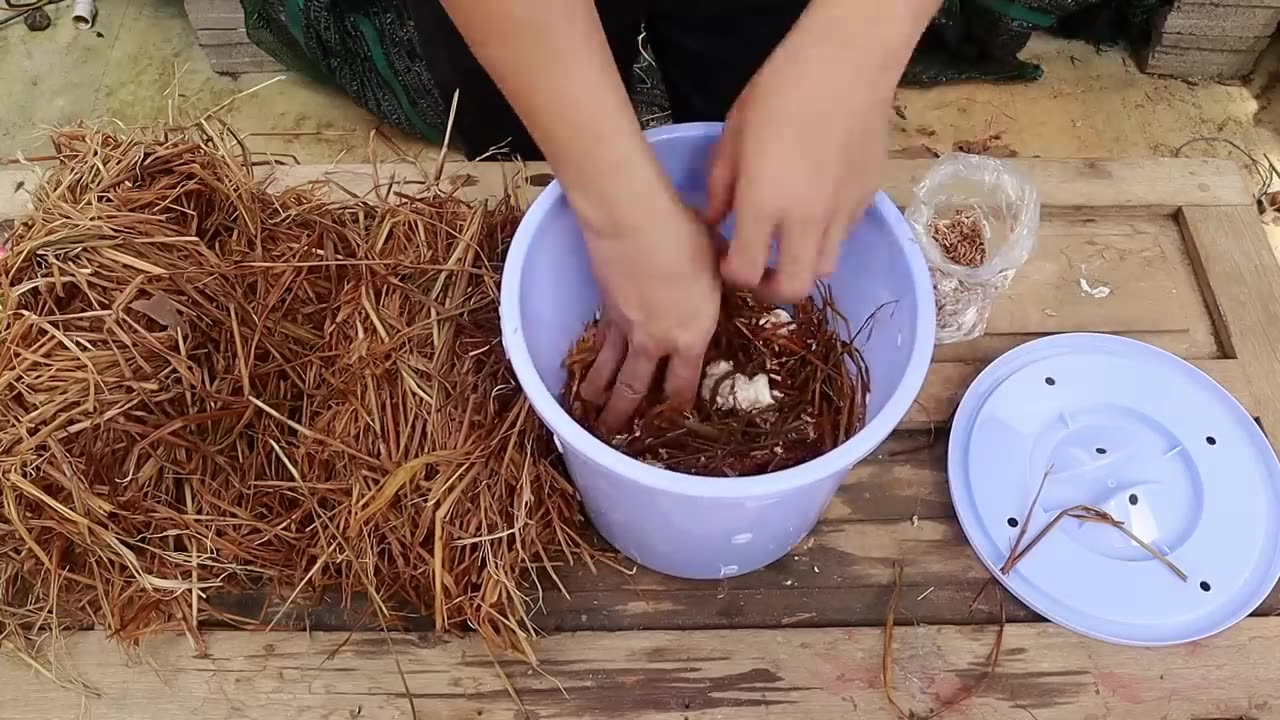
x=1144 y=436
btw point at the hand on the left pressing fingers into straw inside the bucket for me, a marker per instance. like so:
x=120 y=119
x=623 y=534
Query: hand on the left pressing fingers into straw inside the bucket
x=662 y=298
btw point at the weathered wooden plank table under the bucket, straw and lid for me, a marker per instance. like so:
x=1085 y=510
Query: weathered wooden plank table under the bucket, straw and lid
x=1180 y=245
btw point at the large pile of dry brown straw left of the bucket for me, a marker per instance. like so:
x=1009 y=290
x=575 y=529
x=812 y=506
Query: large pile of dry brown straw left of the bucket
x=208 y=386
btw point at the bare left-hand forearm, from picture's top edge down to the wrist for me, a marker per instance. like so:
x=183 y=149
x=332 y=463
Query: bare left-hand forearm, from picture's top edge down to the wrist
x=554 y=63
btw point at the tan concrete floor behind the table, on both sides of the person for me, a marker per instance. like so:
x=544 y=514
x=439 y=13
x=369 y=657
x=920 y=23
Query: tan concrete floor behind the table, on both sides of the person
x=1090 y=104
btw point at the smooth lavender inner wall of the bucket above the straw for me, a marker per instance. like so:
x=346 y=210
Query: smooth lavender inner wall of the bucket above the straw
x=560 y=297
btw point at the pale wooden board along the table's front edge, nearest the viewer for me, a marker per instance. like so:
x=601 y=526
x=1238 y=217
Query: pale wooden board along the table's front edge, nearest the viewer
x=1044 y=675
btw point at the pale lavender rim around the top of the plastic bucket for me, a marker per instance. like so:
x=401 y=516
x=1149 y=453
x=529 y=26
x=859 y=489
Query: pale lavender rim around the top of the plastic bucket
x=572 y=434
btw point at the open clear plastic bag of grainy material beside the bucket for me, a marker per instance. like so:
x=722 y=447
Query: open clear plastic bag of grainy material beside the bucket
x=958 y=193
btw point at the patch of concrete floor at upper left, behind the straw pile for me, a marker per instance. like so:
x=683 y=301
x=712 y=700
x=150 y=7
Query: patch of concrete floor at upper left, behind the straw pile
x=124 y=69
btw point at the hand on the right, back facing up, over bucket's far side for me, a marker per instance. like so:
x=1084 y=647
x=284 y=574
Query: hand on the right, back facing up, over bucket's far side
x=801 y=160
